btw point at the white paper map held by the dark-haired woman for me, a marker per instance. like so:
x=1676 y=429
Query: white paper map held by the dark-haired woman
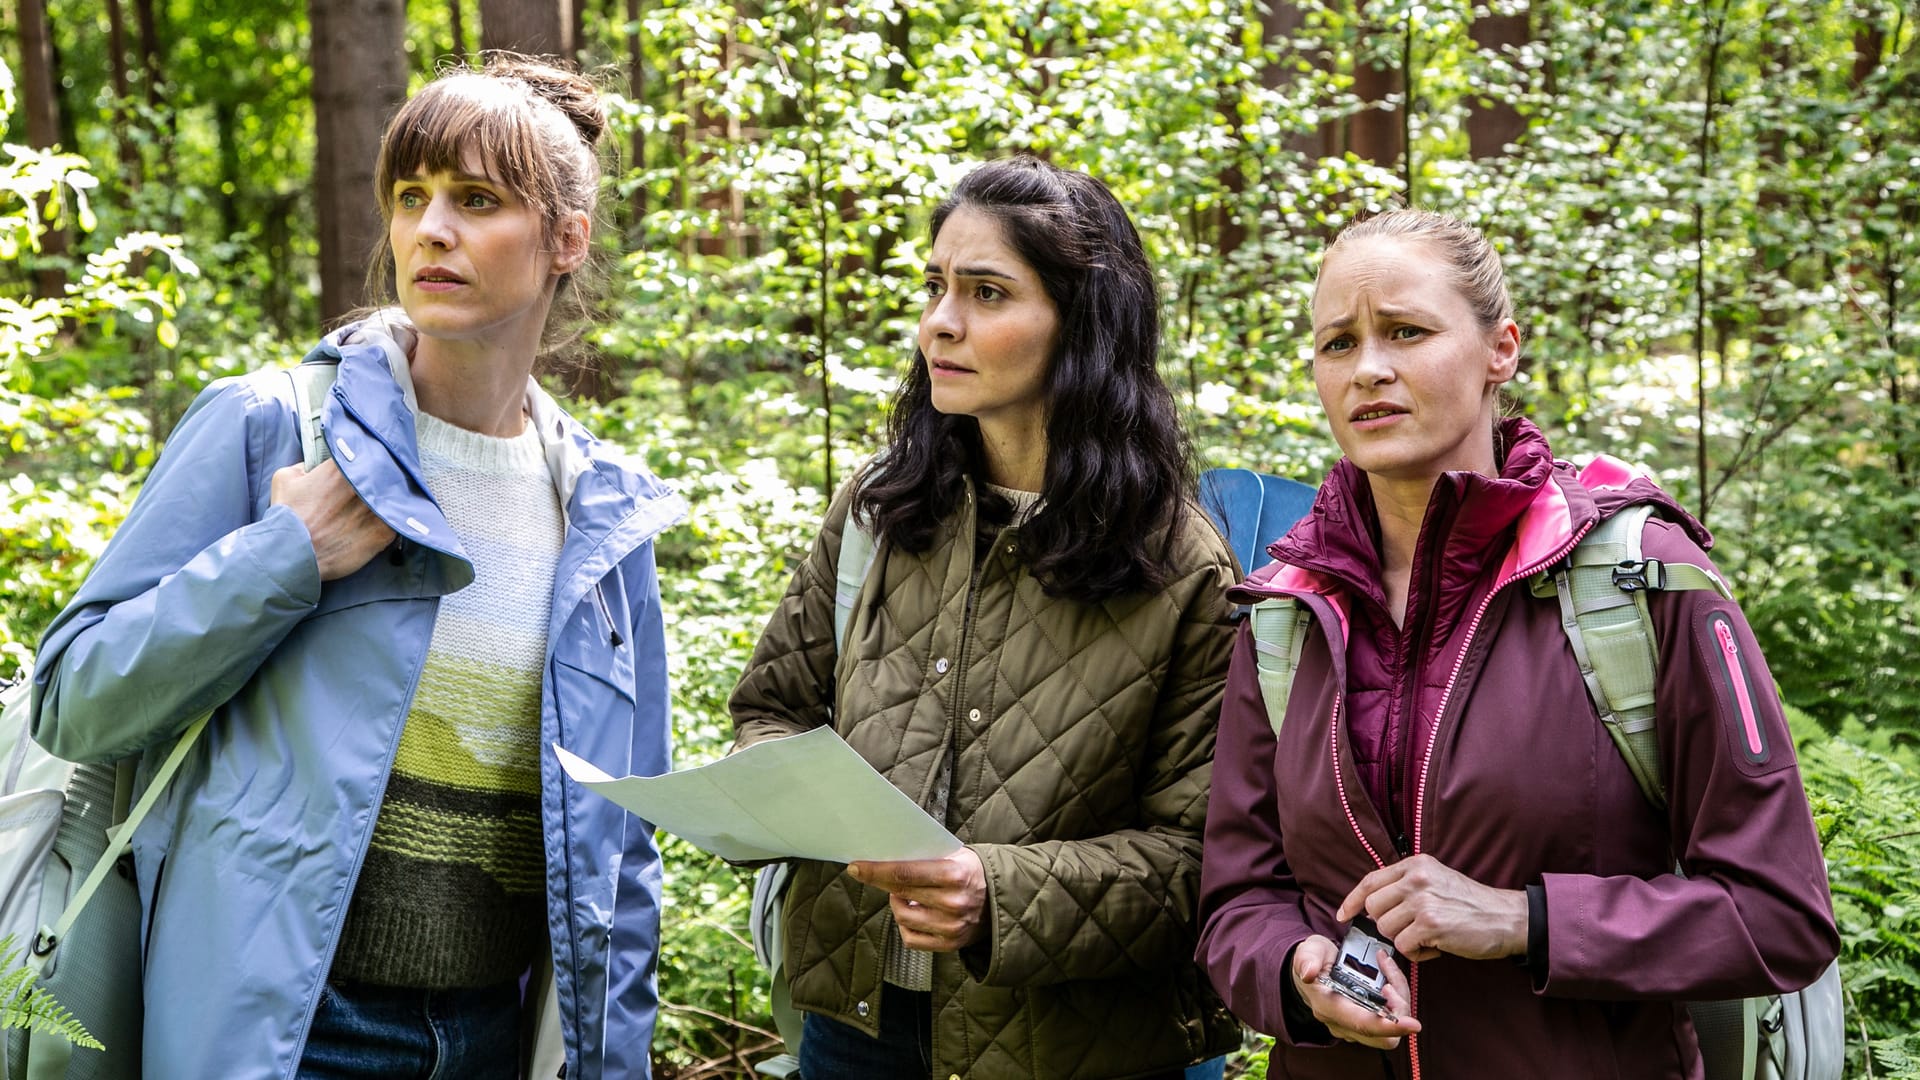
x=804 y=797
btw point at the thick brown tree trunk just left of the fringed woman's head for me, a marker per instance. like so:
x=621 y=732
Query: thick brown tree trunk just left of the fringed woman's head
x=360 y=78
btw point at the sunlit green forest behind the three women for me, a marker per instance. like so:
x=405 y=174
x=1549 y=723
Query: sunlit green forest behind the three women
x=1708 y=209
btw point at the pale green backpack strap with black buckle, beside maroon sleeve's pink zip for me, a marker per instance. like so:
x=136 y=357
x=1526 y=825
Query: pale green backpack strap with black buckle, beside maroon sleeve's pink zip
x=1602 y=593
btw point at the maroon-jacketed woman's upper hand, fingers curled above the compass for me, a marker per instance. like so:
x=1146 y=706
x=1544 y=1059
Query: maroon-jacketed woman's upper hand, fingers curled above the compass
x=1429 y=910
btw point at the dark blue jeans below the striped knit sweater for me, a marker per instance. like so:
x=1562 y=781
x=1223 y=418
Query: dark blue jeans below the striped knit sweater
x=366 y=1033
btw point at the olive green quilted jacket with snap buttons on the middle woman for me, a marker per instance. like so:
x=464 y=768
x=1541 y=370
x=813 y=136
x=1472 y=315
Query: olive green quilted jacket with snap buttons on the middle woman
x=1082 y=743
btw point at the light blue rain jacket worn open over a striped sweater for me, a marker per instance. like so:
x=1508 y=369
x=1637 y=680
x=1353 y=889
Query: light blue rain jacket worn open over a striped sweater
x=208 y=597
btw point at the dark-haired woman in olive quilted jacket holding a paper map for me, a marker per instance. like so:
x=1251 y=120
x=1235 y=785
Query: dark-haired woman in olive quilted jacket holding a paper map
x=1036 y=656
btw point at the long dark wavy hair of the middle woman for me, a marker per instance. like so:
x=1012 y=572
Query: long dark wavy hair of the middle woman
x=1118 y=466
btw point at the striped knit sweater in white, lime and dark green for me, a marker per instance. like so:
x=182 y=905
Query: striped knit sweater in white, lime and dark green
x=454 y=885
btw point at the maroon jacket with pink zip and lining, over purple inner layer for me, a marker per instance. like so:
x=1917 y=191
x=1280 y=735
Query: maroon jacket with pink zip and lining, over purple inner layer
x=1470 y=737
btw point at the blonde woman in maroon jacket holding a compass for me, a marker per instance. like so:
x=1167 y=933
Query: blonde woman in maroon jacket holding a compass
x=1441 y=768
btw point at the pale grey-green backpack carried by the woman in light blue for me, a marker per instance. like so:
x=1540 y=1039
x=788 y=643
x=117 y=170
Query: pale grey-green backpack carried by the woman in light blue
x=68 y=893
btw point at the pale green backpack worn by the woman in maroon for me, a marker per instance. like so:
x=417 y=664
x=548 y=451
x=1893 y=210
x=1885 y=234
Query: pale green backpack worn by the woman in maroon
x=1602 y=589
